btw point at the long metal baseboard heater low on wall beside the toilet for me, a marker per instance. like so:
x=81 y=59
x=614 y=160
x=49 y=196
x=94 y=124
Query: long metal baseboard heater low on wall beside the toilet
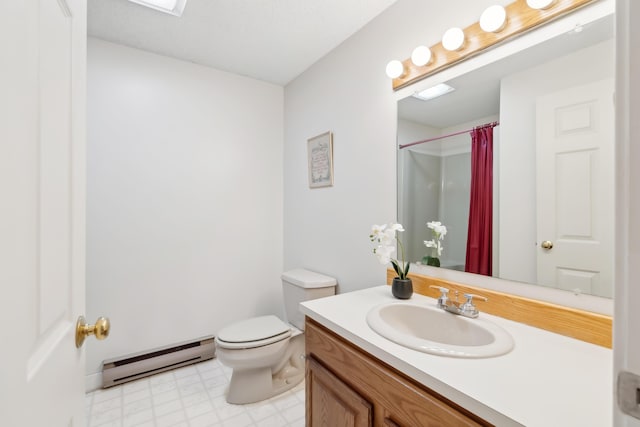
x=139 y=365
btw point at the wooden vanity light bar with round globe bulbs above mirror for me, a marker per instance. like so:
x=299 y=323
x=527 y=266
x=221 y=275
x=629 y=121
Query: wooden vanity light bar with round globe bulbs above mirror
x=496 y=25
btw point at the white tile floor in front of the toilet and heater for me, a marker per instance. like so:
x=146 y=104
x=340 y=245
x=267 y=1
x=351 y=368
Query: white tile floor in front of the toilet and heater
x=192 y=396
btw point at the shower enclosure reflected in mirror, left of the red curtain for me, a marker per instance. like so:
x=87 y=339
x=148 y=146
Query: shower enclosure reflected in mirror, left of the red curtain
x=436 y=185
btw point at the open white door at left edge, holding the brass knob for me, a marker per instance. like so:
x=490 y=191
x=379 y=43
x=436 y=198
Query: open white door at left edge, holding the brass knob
x=42 y=158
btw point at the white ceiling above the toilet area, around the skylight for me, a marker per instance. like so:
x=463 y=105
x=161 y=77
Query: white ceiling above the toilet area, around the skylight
x=270 y=40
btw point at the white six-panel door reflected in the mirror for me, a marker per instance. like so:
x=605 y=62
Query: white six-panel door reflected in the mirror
x=575 y=182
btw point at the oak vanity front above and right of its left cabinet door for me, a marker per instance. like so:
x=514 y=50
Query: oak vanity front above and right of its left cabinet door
x=397 y=399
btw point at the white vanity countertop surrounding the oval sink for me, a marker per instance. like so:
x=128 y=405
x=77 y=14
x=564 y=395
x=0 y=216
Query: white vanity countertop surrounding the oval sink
x=546 y=380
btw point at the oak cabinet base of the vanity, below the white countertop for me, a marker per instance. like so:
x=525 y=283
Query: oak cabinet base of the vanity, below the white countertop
x=372 y=393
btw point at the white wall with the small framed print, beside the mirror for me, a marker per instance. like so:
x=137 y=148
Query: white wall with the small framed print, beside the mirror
x=348 y=93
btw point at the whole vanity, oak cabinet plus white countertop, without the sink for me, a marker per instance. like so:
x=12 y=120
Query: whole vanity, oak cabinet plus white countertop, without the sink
x=357 y=377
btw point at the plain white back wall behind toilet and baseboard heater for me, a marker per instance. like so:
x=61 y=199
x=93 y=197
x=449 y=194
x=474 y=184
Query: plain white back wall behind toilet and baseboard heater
x=185 y=199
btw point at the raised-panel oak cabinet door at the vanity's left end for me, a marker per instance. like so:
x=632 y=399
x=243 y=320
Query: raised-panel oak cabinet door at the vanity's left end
x=332 y=403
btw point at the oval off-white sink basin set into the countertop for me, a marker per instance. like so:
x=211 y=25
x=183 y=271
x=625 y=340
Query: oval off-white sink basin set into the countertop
x=435 y=331
